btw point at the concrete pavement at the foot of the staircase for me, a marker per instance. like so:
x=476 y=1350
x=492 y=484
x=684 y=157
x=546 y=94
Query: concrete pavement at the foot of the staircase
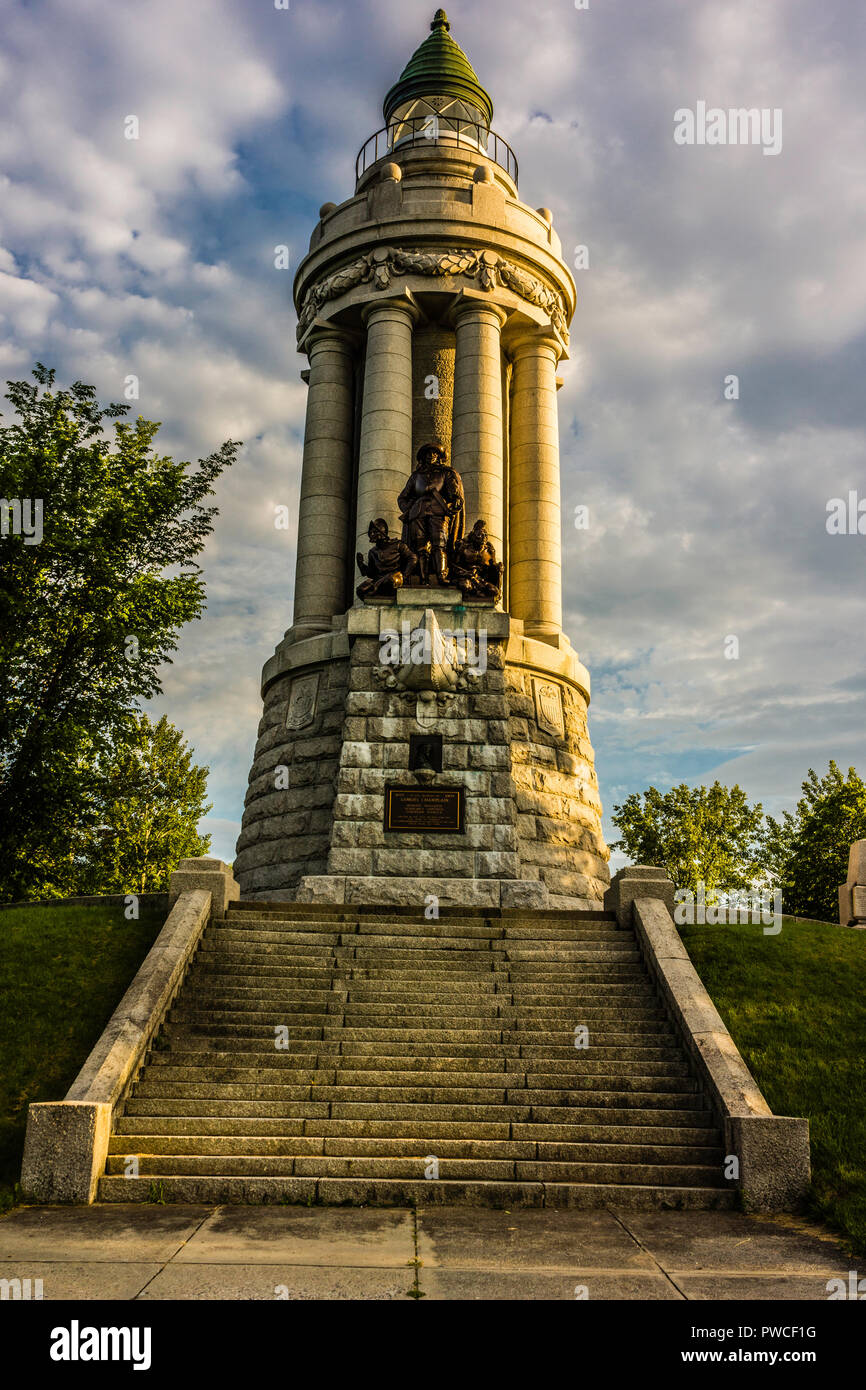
x=440 y=1253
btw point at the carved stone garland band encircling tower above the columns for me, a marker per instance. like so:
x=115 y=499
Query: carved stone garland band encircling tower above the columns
x=489 y=269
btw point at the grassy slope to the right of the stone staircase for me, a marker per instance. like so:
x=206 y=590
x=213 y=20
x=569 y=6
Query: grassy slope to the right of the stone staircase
x=796 y=1007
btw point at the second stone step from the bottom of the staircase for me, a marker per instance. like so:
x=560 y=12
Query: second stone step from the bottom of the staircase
x=496 y=1170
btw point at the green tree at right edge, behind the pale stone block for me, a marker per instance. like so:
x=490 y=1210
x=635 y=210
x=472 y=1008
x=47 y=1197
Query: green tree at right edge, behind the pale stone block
x=807 y=851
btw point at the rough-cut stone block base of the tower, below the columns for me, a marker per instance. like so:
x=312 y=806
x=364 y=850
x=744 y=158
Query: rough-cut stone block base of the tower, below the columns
x=515 y=742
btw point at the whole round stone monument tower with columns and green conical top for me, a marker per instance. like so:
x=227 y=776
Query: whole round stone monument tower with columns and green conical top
x=425 y=732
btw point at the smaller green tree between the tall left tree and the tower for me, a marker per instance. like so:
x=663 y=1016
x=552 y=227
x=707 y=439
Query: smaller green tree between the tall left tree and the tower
x=152 y=799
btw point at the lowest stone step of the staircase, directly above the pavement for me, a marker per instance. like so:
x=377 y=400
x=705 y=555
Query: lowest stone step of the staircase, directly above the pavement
x=409 y=1193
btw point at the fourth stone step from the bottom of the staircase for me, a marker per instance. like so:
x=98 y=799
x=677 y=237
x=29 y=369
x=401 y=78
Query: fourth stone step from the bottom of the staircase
x=149 y=1128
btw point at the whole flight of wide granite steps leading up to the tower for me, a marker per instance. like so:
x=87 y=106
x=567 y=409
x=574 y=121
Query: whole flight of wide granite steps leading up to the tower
x=426 y=1061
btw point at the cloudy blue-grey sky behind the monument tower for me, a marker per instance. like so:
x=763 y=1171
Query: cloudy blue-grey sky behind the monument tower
x=707 y=516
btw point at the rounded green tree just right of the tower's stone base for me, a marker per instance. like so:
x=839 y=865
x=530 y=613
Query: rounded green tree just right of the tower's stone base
x=700 y=835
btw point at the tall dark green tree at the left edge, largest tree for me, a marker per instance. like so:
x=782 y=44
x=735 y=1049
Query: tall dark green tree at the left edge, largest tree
x=90 y=615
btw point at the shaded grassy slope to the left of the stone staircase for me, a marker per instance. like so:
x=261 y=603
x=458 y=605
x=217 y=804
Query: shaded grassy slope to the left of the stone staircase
x=63 y=972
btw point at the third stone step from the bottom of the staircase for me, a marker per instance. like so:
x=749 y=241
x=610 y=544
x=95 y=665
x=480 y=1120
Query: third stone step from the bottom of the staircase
x=504 y=1150
